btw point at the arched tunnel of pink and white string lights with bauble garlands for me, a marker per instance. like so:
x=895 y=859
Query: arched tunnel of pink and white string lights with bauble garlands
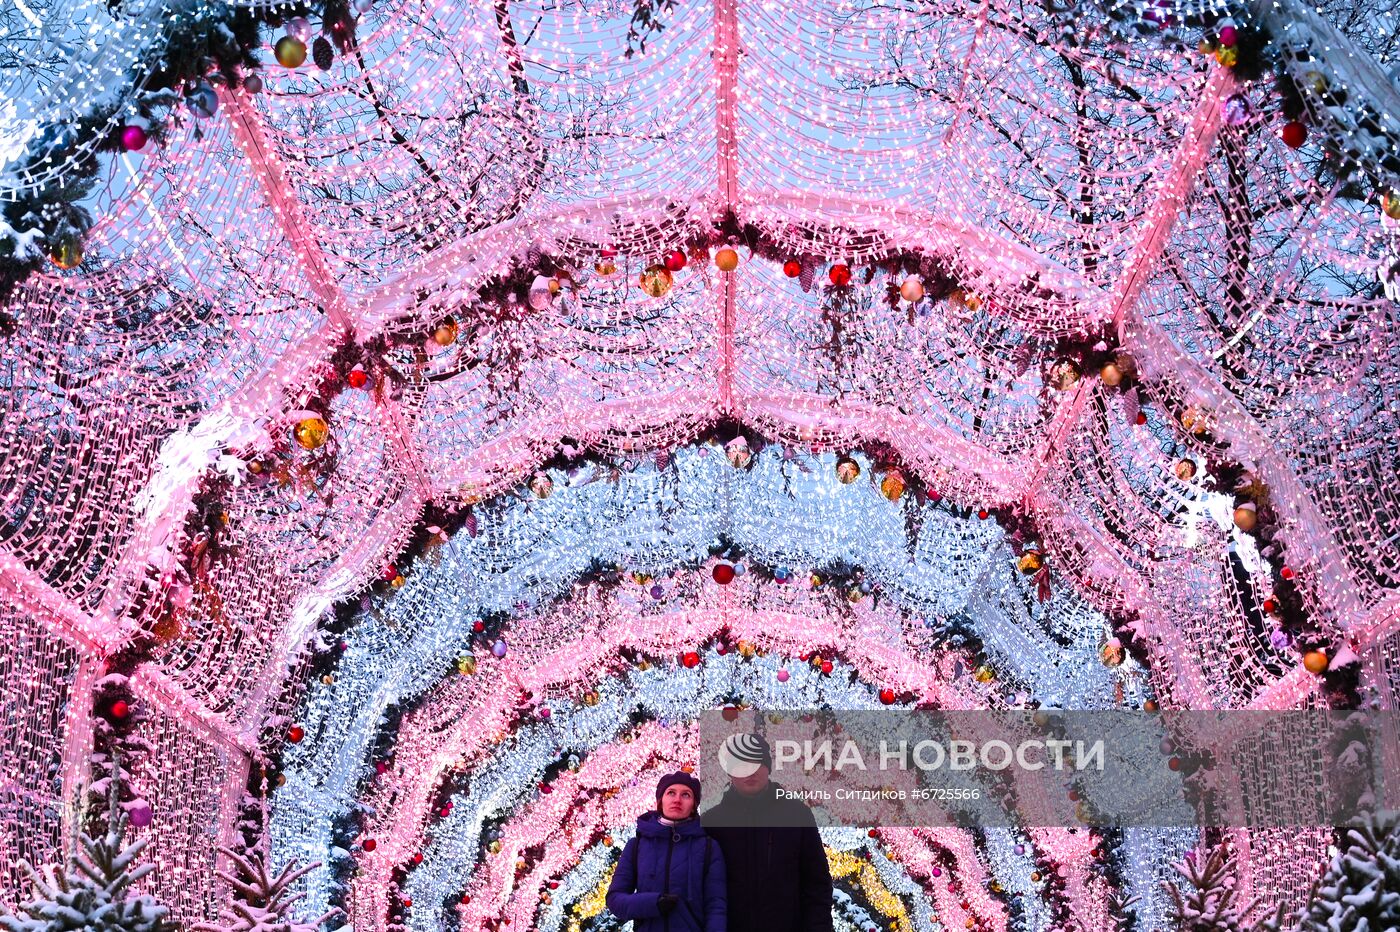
x=415 y=415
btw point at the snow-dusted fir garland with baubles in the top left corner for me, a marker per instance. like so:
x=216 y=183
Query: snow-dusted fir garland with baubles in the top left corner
x=201 y=45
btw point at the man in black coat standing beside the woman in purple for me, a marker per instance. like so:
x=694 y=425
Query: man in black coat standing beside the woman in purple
x=773 y=857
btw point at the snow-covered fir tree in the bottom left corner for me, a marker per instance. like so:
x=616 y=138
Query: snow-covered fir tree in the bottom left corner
x=93 y=891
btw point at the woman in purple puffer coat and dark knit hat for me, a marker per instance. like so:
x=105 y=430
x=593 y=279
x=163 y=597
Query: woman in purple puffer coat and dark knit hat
x=671 y=875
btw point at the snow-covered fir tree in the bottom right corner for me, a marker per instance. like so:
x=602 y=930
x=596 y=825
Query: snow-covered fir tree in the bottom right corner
x=1361 y=889
